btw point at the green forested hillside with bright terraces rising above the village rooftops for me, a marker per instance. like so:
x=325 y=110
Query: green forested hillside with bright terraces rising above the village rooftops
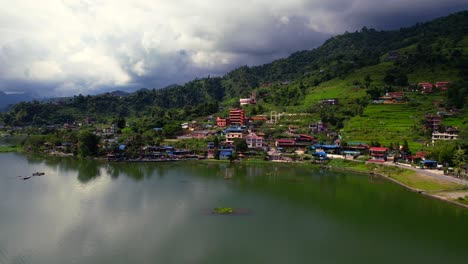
x=354 y=67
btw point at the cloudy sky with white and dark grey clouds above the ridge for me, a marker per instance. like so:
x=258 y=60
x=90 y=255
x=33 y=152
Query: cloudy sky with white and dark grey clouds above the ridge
x=67 y=47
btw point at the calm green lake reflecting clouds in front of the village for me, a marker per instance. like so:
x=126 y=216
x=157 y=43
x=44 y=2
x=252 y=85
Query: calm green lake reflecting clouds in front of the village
x=85 y=211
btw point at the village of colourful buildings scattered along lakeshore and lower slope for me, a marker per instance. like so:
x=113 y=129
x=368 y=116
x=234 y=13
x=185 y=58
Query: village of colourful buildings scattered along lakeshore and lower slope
x=237 y=137
